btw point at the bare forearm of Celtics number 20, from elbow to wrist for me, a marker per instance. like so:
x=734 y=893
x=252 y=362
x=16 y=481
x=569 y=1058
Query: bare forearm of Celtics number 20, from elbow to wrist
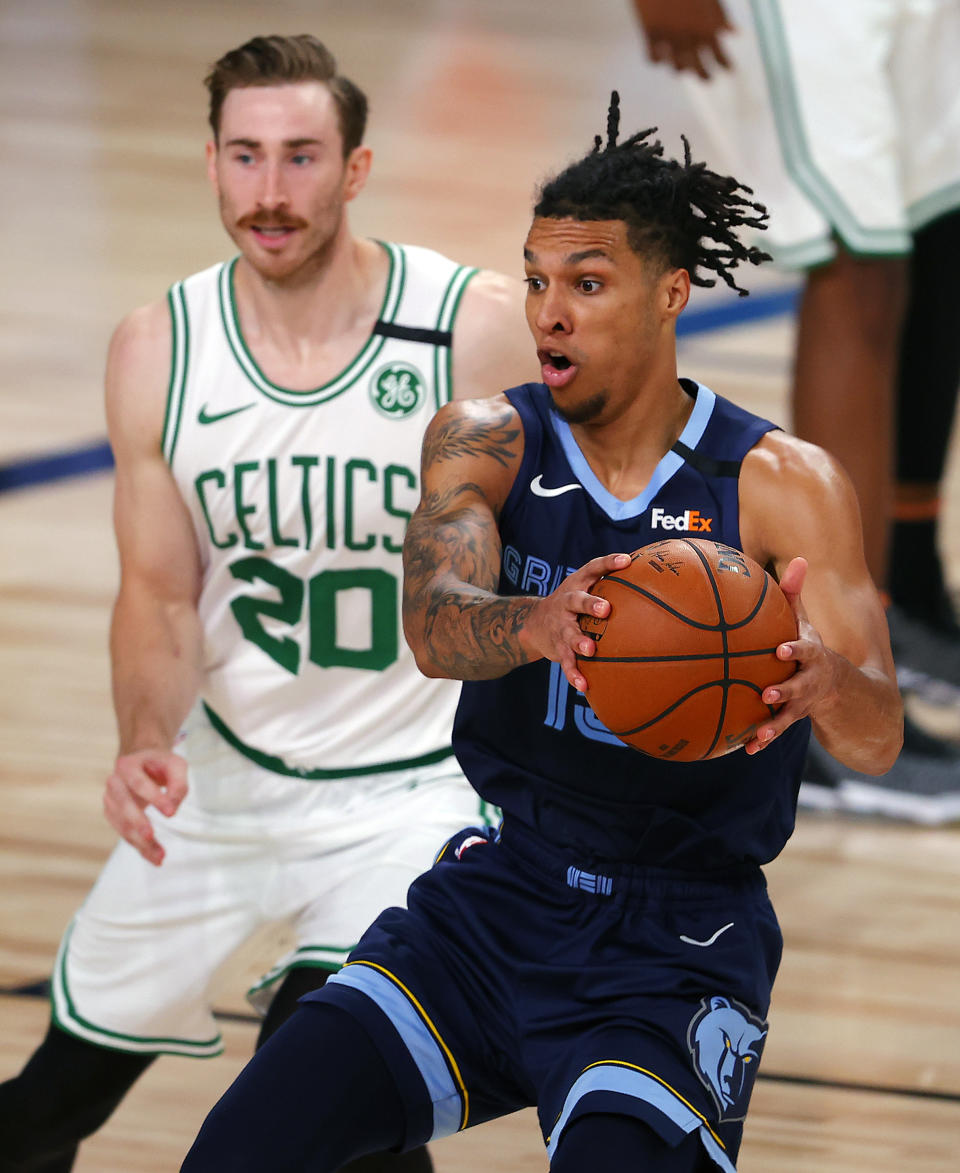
x=156 y=653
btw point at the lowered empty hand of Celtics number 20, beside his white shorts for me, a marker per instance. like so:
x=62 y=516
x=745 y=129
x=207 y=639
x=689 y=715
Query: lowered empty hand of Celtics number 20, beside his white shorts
x=146 y=778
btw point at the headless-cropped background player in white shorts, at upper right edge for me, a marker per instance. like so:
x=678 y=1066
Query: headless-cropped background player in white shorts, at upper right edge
x=847 y=117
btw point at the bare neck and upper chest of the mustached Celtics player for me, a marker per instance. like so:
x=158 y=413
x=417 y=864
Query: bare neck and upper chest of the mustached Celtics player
x=305 y=329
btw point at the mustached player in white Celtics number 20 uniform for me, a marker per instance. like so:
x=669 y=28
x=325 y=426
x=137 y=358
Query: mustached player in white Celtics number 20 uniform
x=281 y=757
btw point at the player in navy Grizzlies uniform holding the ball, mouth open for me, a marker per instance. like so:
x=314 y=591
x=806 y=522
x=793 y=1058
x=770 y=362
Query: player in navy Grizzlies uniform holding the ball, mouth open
x=610 y=955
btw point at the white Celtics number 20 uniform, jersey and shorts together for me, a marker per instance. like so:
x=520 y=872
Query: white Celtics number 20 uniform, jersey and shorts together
x=322 y=778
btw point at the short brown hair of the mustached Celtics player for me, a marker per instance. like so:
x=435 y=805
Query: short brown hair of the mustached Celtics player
x=279 y=60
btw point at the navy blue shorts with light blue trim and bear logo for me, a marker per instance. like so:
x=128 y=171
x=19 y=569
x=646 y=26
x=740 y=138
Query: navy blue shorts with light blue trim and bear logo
x=516 y=978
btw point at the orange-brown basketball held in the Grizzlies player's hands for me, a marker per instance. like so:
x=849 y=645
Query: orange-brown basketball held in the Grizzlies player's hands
x=687 y=650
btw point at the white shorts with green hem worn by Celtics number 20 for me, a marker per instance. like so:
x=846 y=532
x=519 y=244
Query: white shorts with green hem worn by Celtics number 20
x=247 y=849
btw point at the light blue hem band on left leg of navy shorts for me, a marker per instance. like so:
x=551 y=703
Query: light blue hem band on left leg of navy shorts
x=448 y=1102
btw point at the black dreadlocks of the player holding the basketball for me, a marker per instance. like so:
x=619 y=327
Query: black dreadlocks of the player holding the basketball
x=681 y=215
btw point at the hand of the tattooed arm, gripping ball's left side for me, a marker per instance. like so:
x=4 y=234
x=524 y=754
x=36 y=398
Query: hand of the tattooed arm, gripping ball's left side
x=553 y=629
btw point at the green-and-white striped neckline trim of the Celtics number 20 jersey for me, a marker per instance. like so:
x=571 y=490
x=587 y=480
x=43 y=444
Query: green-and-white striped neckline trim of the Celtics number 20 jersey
x=349 y=376
